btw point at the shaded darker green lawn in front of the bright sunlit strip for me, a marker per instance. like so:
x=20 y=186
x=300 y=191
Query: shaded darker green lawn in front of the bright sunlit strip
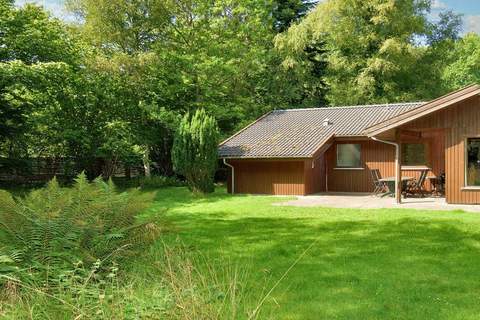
x=370 y=269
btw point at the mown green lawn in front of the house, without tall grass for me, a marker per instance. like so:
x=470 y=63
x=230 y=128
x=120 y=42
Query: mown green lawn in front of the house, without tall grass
x=365 y=264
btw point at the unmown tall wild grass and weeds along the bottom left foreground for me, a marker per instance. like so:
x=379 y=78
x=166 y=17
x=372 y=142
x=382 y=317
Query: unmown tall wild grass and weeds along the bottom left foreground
x=183 y=284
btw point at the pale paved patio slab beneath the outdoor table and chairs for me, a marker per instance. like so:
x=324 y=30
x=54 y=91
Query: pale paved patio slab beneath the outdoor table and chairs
x=369 y=201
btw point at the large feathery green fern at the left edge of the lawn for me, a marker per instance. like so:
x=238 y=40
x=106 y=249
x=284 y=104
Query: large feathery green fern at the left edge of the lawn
x=52 y=228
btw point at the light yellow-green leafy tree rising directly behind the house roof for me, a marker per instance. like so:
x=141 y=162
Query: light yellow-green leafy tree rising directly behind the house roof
x=373 y=49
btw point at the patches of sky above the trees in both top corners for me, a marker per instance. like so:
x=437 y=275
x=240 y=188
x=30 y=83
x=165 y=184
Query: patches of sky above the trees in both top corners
x=469 y=8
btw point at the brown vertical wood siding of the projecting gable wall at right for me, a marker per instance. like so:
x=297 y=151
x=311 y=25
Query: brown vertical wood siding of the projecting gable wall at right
x=458 y=122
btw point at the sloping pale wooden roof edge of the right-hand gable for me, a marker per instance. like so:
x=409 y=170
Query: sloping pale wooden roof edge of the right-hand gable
x=427 y=108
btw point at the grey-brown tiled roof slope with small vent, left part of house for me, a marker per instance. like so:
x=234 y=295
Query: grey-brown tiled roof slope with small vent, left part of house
x=299 y=133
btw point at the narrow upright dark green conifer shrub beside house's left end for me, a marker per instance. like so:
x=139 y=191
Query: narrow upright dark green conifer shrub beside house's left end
x=194 y=152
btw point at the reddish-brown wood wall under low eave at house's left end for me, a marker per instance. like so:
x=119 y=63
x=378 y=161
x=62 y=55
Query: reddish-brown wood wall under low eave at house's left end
x=279 y=177
